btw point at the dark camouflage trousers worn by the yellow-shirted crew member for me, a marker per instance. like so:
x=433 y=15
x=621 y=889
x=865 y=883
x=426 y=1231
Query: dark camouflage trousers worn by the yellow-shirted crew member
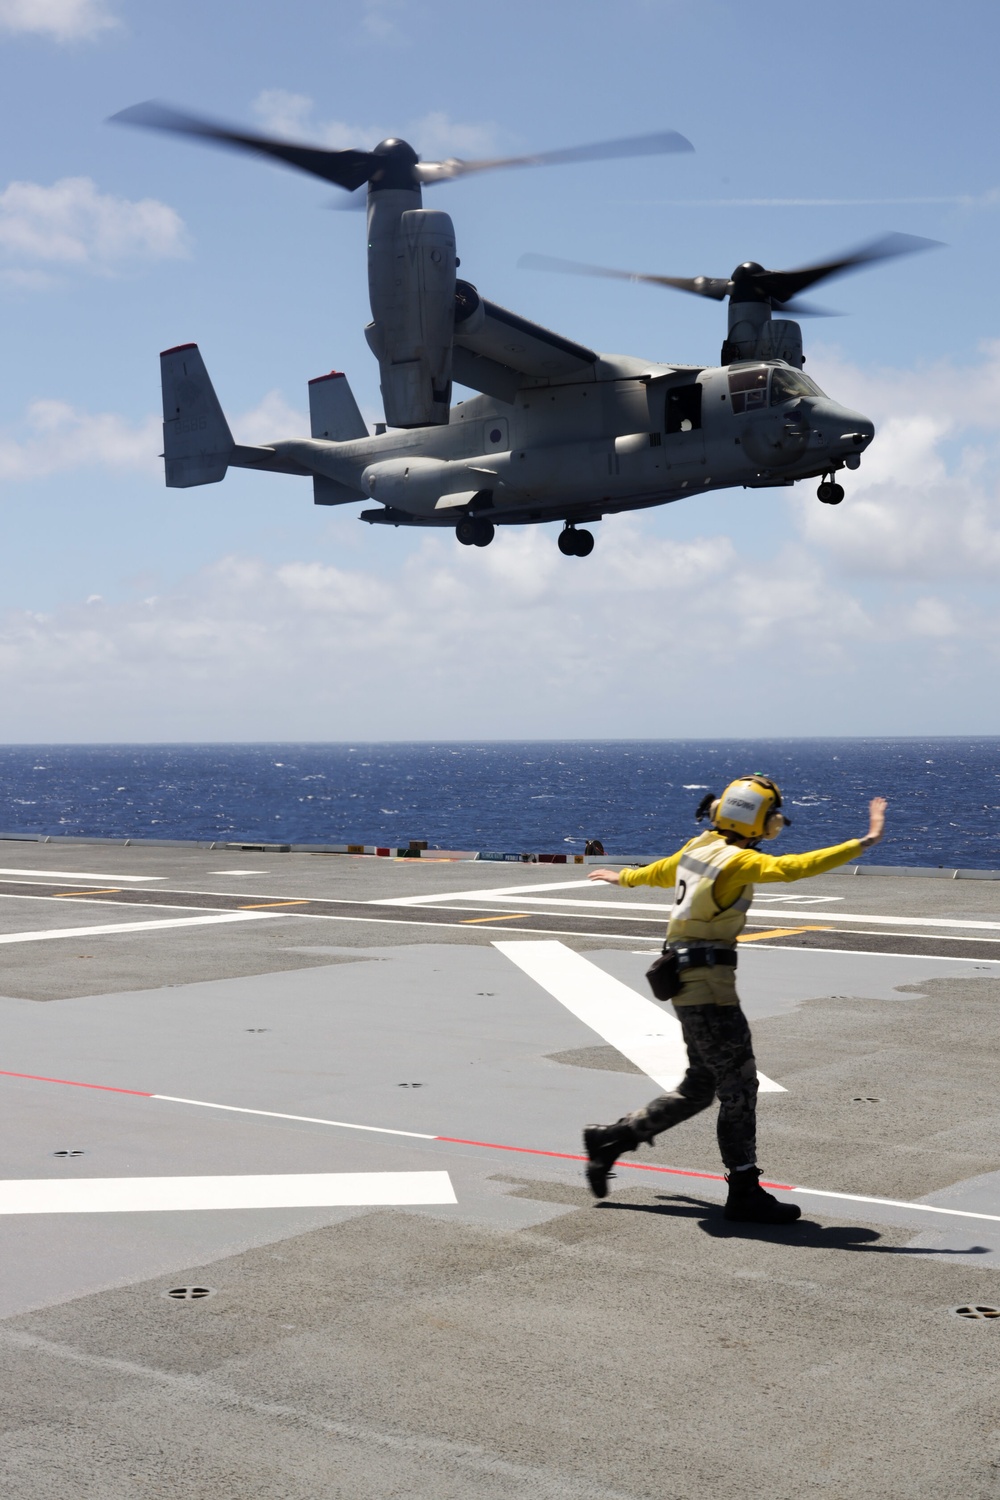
x=720 y=1064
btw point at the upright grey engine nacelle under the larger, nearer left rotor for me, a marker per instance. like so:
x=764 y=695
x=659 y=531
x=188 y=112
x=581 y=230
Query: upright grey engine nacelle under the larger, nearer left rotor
x=412 y=280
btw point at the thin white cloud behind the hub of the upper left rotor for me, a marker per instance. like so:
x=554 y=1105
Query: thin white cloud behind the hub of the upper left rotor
x=434 y=136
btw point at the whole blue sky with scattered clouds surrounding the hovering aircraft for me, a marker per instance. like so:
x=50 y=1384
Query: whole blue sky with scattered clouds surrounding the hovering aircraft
x=241 y=611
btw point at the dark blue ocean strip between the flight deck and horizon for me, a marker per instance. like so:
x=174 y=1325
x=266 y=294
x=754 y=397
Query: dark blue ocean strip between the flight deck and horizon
x=638 y=797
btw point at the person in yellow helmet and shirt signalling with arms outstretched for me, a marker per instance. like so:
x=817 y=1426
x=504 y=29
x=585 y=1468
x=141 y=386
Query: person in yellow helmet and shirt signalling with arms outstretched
x=714 y=878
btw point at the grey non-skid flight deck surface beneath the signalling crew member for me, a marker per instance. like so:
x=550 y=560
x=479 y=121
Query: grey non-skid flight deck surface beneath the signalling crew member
x=525 y=1342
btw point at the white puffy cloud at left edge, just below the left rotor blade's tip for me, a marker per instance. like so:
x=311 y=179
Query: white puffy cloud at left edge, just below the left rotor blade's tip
x=74 y=226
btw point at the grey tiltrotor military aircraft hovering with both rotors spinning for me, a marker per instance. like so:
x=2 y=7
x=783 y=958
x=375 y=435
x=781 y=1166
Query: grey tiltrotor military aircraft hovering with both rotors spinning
x=560 y=433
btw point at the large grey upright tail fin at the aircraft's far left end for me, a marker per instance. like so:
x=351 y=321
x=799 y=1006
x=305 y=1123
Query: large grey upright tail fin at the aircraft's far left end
x=197 y=440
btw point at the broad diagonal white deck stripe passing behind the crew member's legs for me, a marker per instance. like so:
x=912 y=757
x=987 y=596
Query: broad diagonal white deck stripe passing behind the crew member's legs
x=638 y=1028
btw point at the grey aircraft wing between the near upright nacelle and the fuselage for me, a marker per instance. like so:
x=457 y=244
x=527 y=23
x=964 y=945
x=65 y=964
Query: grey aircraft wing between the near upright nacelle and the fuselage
x=496 y=349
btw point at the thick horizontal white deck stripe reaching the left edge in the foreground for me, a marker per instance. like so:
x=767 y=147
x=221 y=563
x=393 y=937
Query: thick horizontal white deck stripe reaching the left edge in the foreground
x=304 y=1190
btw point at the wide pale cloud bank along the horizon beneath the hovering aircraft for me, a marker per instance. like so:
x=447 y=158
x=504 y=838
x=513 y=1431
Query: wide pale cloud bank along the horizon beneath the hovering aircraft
x=650 y=637
